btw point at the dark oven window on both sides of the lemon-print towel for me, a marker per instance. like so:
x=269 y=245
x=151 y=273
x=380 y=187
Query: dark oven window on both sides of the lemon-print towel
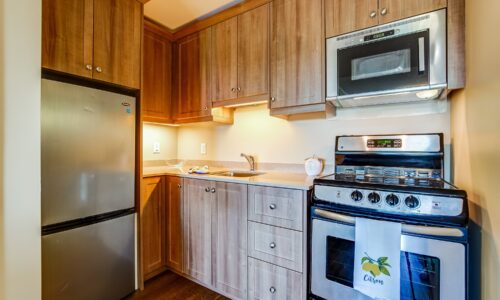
x=419 y=273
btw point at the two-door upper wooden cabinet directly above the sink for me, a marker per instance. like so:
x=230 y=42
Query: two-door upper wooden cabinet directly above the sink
x=240 y=60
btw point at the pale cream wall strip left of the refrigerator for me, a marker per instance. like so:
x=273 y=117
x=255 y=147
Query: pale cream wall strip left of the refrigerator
x=20 y=249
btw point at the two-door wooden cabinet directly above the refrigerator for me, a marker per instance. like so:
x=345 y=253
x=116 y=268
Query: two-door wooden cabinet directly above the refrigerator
x=95 y=39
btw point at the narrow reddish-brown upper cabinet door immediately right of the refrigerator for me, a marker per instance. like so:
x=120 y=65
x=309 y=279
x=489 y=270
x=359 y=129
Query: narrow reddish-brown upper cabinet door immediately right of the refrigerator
x=156 y=97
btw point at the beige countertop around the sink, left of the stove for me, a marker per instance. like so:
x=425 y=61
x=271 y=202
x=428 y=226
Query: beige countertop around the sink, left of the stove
x=269 y=178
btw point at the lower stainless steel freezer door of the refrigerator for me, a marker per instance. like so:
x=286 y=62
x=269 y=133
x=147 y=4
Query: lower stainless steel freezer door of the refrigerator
x=91 y=262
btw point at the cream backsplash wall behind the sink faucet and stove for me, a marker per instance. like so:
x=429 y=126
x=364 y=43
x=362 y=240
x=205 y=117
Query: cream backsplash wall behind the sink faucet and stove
x=280 y=141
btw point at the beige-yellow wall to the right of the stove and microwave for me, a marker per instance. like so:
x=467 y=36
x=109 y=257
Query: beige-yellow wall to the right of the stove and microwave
x=476 y=135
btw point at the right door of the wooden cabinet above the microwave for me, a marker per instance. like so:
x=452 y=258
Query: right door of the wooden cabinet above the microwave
x=391 y=10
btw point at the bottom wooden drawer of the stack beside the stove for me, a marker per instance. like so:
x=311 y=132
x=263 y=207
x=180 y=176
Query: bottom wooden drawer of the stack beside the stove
x=267 y=281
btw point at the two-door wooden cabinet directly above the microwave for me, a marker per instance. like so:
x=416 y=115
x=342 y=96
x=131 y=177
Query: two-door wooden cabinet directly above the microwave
x=342 y=16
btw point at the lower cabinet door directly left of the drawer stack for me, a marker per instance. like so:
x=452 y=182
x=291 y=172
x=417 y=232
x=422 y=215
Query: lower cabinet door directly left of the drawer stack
x=230 y=238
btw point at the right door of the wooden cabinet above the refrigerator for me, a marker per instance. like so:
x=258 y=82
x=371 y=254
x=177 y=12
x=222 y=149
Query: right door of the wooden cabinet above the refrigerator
x=117 y=42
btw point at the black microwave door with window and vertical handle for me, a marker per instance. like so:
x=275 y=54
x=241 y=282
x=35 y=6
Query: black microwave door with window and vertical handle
x=396 y=63
